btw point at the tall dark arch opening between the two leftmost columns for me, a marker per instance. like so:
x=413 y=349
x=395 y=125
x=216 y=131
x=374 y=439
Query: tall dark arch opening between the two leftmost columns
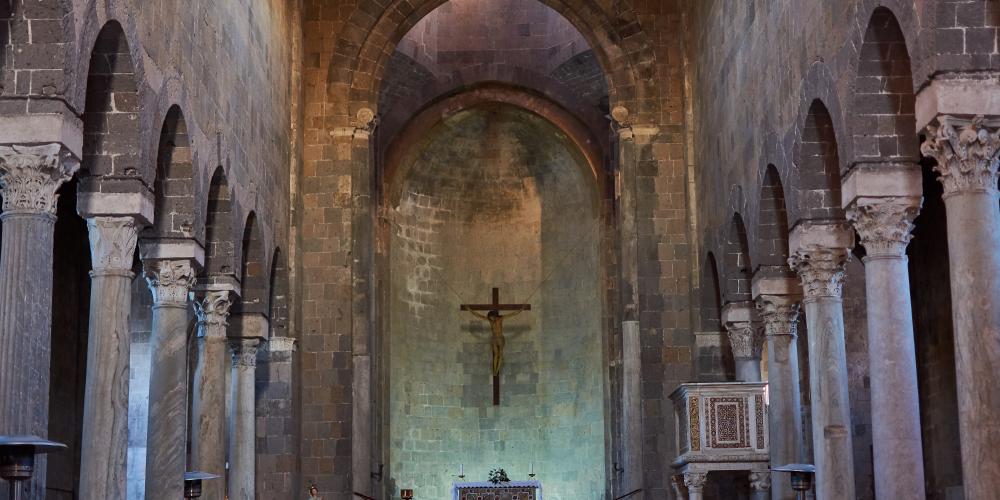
x=111 y=142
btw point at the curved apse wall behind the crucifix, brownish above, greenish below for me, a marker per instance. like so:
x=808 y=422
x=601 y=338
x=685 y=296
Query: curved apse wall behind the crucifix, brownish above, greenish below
x=496 y=197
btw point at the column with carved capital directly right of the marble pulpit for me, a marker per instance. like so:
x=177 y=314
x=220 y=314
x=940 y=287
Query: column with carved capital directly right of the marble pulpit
x=778 y=305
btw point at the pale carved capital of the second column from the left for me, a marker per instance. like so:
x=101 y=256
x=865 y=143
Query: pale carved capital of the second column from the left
x=112 y=243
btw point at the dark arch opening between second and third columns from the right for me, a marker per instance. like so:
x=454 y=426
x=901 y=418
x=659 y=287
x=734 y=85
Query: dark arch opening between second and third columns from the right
x=818 y=162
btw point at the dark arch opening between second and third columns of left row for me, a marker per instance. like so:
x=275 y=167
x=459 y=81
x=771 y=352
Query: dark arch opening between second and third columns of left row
x=174 y=184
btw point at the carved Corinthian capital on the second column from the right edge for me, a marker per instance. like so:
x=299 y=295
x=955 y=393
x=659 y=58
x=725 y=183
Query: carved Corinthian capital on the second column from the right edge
x=885 y=224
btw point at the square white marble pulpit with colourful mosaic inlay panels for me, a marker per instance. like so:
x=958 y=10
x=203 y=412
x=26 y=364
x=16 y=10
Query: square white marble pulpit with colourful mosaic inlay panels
x=721 y=427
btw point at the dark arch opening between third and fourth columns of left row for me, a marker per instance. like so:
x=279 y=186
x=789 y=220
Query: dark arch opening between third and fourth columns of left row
x=220 y=246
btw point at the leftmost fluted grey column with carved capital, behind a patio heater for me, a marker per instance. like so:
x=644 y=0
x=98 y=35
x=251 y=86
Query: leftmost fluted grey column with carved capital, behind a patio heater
x=29 y=179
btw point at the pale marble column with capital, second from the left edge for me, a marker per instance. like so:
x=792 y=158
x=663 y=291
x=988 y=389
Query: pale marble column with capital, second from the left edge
x=104 y=440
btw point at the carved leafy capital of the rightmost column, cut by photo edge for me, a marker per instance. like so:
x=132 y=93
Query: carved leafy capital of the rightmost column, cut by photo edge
x=966 y=151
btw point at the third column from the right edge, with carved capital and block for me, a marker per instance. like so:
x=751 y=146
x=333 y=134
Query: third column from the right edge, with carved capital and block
x=820 y=251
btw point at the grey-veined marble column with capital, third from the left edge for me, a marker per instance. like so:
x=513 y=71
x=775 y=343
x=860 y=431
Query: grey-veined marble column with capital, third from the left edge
x=166 y=452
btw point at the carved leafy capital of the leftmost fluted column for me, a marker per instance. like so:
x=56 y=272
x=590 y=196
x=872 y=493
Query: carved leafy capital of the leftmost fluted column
x=31 y=175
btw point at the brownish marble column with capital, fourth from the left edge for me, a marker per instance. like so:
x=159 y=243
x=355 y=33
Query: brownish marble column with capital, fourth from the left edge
x=208 y=409
